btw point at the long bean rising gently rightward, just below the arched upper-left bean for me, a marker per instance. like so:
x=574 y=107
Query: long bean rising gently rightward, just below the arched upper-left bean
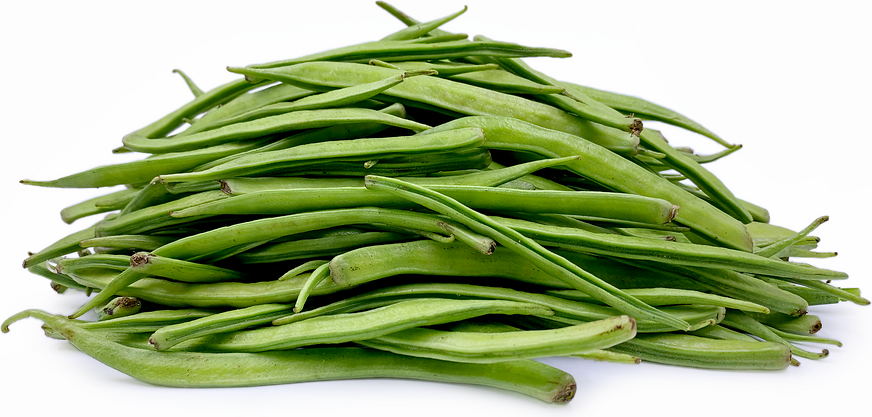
x=308 y=154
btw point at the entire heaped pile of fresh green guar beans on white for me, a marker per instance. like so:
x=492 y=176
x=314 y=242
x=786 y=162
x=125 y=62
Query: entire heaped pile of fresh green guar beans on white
x=427 y=207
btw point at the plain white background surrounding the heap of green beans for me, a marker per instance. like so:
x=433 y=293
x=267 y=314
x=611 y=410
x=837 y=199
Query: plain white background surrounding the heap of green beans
x=789 y=80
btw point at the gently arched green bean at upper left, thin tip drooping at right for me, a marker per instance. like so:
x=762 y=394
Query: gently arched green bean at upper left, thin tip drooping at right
x=304 y=119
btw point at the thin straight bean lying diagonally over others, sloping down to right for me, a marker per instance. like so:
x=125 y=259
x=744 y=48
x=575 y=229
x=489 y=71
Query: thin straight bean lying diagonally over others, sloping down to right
x=518 y=243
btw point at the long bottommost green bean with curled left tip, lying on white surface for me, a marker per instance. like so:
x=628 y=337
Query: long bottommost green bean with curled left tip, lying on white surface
x=184 y=369
